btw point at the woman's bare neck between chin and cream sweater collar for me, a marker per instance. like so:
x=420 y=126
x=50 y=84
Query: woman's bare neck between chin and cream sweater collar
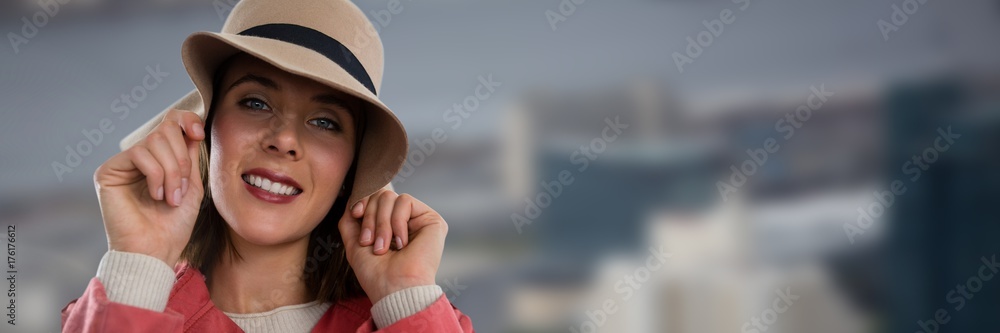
x=265 y=278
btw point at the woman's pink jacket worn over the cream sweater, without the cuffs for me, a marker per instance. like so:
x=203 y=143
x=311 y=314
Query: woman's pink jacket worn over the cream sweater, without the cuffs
x=190 y=309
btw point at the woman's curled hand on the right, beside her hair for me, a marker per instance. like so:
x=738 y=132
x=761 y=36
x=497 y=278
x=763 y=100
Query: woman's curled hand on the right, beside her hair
x=387 y=219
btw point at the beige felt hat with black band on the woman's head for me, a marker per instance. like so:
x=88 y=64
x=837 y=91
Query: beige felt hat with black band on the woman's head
x=329 y=41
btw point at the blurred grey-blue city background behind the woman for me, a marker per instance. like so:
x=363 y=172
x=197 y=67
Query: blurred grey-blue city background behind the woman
x=839 y=103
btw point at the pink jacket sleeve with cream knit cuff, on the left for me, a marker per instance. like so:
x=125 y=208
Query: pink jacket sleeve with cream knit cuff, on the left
x=128 y=295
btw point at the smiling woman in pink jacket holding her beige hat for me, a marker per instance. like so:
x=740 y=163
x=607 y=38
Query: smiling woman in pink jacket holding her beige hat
x=233 y=216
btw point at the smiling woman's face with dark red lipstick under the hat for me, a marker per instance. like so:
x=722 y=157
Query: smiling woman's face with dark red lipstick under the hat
x=281 y=147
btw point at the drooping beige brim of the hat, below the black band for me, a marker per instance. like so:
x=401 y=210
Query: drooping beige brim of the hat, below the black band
x=384 y=144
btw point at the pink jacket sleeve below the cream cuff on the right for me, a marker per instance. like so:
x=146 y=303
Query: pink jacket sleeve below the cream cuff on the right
x=439 y=317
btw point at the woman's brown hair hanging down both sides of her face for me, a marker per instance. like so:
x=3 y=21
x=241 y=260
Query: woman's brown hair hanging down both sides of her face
x=329 y=277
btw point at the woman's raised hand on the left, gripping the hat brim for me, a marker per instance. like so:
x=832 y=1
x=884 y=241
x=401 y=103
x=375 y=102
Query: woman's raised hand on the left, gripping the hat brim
x=150 y=194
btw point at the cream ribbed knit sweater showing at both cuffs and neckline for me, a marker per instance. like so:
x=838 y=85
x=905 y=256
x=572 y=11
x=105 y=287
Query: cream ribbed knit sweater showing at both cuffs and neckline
x=144 y=281
